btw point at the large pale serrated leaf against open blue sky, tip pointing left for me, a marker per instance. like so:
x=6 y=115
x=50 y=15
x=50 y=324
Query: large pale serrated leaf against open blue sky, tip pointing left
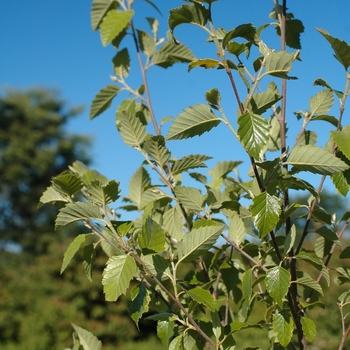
x=194 y=121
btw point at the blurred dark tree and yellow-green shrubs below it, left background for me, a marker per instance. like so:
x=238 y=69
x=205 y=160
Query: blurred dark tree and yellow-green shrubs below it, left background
x=37 y=304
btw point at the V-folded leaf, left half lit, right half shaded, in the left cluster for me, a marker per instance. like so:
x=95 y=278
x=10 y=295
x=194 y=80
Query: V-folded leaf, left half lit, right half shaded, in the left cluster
x=103 y=194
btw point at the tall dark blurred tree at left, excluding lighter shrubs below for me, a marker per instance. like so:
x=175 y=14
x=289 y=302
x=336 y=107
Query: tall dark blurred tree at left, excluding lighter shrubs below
x=34 y=146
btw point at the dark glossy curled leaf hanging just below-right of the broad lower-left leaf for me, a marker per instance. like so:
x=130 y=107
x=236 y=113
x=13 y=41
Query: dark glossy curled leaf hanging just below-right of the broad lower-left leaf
x=139 y=303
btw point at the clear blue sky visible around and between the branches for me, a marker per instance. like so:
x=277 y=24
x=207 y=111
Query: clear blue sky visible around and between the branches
x=51 y=44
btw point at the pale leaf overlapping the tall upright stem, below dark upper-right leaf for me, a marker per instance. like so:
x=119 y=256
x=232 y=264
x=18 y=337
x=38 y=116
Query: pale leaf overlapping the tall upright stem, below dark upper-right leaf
x=279 y=64
